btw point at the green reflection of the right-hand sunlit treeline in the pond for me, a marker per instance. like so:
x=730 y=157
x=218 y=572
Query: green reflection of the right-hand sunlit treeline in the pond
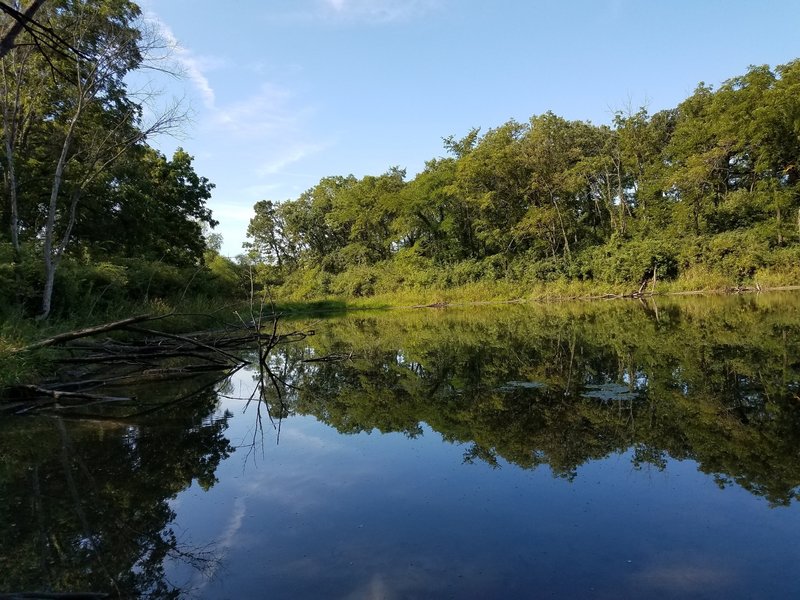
x=715 y=381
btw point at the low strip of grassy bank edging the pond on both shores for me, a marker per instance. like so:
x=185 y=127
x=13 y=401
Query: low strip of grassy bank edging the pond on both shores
x=17 y=331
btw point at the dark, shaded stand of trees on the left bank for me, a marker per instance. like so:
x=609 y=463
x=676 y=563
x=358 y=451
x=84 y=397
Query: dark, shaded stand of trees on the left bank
x=91 y=215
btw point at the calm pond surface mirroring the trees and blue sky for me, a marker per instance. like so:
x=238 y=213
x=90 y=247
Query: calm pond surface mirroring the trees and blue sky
x=604 y=450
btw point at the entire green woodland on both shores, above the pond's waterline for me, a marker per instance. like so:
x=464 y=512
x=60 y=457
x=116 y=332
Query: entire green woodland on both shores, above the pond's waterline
x=94 y=219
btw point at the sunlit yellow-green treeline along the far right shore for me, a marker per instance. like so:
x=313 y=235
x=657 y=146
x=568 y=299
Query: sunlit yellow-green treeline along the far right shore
x=707 y=191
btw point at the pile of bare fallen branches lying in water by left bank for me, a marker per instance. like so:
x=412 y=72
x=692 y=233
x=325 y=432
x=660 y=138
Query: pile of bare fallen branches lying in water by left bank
x=142 y=354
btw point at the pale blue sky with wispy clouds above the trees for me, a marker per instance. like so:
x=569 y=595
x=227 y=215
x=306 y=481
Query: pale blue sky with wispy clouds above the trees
x=283 y=93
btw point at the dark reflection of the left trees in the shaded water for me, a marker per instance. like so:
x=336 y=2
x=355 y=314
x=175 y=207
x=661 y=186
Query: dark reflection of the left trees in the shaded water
x=87 y=502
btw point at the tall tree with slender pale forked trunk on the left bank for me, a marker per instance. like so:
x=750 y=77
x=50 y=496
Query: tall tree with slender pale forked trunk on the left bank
x=78 y=108
